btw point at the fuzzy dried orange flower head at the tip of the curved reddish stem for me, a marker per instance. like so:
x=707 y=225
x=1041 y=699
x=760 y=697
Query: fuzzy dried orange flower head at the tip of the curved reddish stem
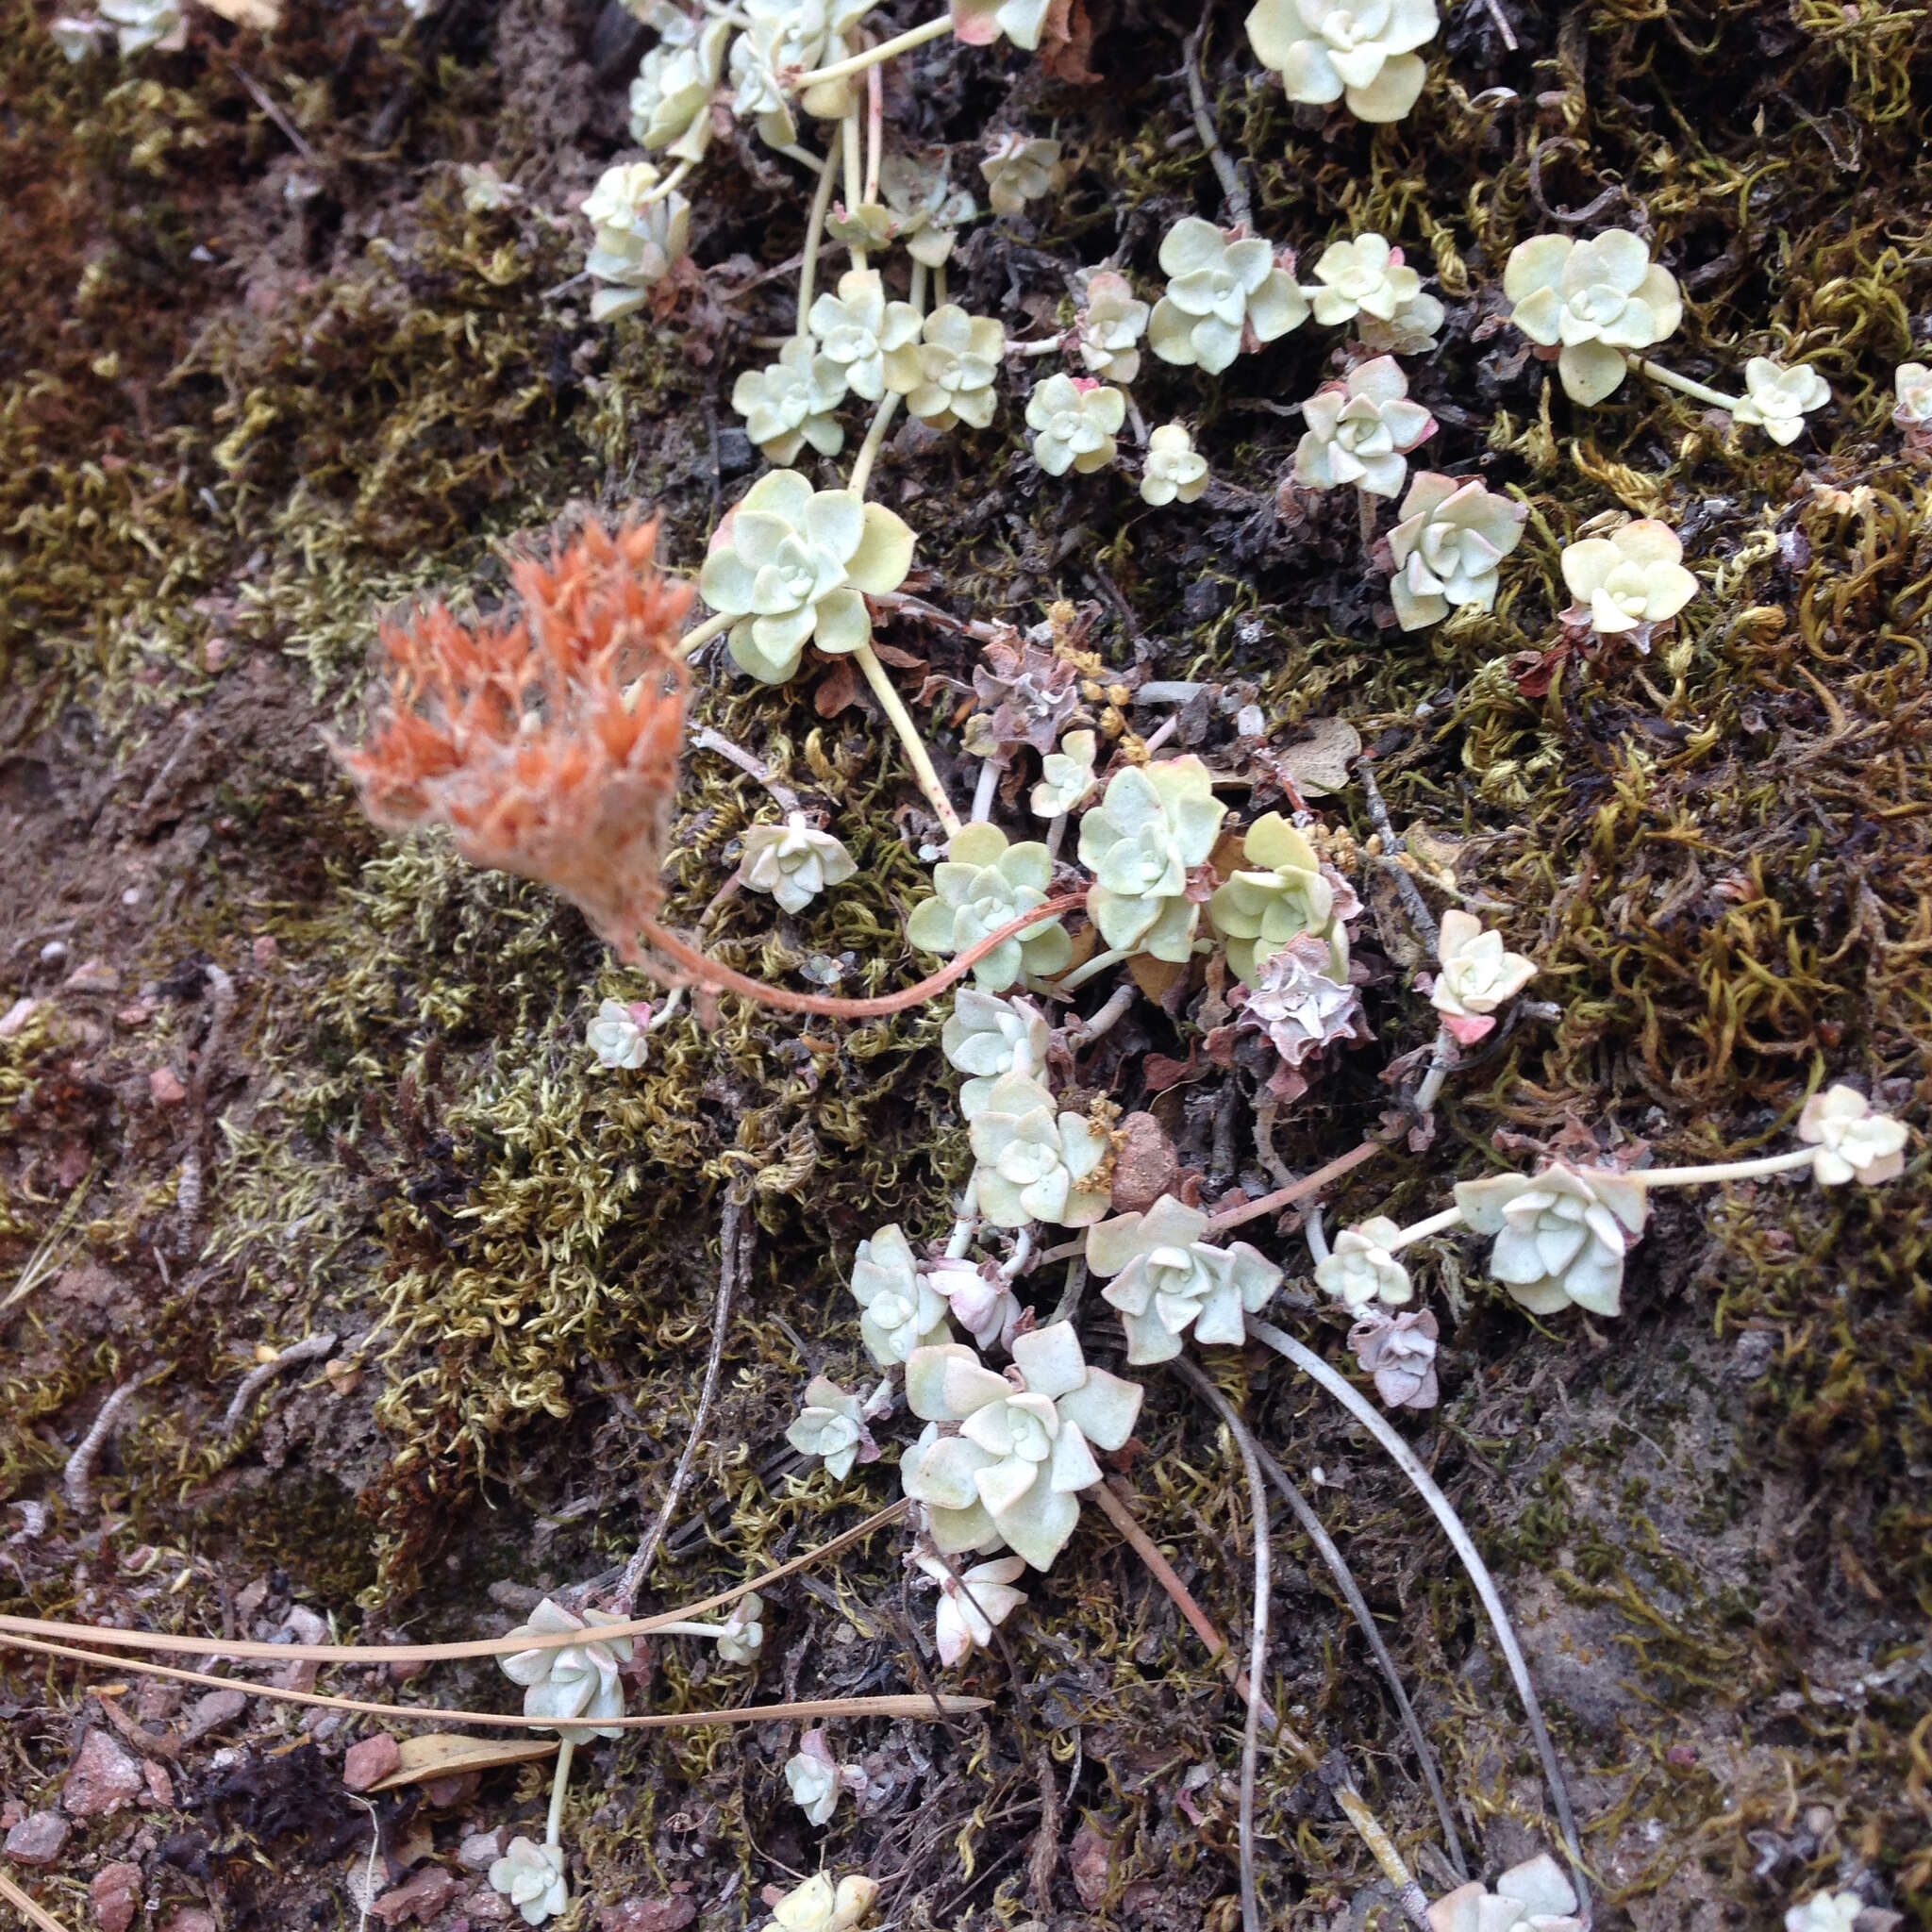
x=548 y=745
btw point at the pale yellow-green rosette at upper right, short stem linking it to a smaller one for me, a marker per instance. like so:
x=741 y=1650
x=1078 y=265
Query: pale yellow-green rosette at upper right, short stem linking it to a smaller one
x=1591 y=302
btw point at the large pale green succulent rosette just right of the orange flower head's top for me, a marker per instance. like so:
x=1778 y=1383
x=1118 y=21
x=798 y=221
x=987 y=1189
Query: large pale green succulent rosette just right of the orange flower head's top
x=791 y=563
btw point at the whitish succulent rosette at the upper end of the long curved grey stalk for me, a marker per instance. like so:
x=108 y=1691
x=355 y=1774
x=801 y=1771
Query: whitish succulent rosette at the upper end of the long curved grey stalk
x=1168 y=1280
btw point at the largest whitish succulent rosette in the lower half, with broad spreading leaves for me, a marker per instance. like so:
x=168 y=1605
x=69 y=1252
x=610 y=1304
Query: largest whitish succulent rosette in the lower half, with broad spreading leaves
x=1025 y=1444
